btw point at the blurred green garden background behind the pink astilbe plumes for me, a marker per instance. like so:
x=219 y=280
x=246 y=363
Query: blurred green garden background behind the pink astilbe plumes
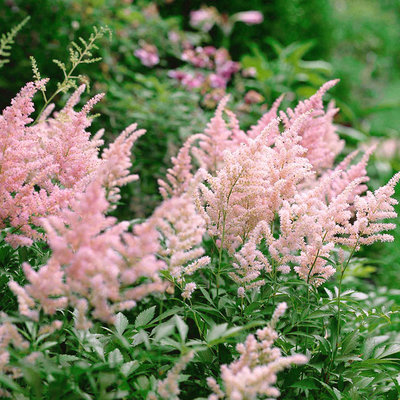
x=299 y=45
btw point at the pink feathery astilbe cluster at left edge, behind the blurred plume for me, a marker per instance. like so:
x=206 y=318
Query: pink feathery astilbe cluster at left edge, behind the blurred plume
x=45 y=165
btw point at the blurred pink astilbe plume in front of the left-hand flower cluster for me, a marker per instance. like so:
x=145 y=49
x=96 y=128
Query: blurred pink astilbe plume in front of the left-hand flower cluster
x=95 y=264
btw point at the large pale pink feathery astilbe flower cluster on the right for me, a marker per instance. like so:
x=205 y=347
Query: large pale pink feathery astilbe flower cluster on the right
x=282 y=189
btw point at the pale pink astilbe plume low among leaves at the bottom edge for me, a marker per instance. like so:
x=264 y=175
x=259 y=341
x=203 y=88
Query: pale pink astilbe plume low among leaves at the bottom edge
x=254 y=374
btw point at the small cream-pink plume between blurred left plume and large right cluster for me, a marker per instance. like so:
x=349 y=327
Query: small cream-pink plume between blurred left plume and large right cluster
x=181 y=229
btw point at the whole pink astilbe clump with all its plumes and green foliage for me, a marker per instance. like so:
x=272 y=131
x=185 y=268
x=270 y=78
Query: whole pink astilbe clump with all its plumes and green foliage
x=174 y=306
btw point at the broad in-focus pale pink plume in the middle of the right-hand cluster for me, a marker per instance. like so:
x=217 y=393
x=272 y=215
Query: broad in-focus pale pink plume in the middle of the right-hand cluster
x=253 y=183
